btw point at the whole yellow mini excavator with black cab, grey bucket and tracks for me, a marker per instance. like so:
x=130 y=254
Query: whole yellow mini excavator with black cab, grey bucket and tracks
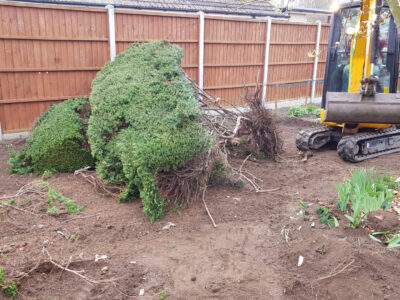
x=360 y=107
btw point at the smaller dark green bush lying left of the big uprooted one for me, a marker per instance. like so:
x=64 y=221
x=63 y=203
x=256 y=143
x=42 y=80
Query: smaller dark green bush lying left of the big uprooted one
x=58 y=143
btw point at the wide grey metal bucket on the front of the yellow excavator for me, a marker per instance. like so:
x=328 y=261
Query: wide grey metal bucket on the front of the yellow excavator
x=356 y=108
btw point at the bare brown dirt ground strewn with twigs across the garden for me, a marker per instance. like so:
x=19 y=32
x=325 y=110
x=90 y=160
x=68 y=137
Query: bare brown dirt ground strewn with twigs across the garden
x=252 y=254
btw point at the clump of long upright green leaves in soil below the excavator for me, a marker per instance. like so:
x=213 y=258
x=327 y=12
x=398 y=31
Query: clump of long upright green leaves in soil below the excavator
x=367 y=191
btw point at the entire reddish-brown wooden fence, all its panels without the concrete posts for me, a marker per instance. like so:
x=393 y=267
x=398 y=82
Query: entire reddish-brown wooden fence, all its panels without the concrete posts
x=49 y=53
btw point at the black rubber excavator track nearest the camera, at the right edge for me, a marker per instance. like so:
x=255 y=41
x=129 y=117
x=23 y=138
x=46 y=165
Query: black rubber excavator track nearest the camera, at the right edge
x=349 y=146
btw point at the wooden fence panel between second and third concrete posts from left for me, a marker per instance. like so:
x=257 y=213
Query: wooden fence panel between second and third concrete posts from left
x=233 y=56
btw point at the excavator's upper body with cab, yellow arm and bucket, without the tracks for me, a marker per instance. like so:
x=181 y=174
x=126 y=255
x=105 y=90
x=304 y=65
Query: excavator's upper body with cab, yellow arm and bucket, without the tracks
x=361 y=50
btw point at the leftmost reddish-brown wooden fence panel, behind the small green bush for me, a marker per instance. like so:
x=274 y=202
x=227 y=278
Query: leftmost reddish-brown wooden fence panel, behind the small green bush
x=47 y=53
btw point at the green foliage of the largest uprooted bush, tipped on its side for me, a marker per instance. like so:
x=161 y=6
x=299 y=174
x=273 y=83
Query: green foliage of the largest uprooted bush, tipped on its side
x=145 y=119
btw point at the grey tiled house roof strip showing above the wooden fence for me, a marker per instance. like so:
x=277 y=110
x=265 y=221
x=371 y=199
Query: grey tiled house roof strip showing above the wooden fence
x=236 y=7
